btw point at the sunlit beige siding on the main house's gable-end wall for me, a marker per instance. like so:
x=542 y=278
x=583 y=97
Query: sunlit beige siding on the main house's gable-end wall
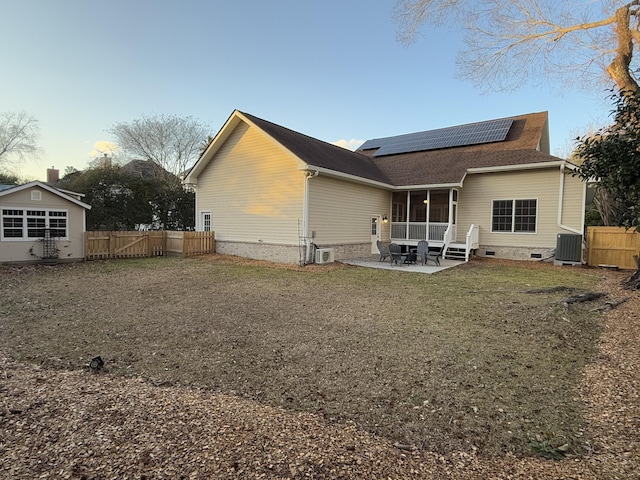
x=253 y=190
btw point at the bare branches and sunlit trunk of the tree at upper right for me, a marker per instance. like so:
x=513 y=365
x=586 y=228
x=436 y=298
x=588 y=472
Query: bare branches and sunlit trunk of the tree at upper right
x=511 y=41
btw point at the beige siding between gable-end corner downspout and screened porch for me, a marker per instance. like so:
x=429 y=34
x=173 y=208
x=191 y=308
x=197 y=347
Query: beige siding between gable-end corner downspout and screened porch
x=340 y=211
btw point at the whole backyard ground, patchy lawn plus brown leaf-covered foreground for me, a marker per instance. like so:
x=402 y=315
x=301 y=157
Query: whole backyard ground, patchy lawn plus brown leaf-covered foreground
x=314 y=373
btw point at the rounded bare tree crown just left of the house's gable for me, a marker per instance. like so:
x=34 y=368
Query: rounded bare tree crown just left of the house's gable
x=170 y=141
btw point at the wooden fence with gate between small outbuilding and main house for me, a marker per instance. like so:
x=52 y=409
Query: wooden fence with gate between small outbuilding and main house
x=136 y=244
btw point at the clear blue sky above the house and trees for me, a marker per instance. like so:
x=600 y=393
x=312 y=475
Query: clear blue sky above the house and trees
x=331 y=69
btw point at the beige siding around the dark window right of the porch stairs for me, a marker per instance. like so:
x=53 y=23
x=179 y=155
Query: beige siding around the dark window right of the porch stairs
x=479 y=190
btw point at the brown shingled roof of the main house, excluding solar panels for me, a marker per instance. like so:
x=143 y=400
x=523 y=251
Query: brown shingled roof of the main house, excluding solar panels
x=521 y=143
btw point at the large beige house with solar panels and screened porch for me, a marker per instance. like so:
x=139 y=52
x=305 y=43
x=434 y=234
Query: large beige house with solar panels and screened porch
x=489 y=188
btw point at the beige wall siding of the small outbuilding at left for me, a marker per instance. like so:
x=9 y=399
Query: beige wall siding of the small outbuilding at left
x=19 y=250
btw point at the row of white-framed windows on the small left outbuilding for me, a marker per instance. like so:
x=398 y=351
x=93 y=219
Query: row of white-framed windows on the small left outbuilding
x=22 y=224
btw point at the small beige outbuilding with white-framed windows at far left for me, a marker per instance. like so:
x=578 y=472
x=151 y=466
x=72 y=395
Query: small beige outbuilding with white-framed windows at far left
x=41 y=223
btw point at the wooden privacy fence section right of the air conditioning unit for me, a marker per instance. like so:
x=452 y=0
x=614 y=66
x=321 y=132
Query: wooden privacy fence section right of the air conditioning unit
x=612 y=246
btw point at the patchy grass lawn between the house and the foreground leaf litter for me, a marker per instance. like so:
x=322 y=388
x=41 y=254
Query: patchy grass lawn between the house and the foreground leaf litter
x=463 y=359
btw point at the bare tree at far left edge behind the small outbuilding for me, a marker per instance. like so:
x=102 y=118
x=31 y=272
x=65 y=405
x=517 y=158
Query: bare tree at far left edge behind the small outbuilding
x=18 y=136
